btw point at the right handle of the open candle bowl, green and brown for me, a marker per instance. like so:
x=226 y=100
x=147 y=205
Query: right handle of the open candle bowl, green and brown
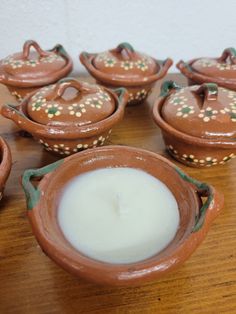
x=212 y=205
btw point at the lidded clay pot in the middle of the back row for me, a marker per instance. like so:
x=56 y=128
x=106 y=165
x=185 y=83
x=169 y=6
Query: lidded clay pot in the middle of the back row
x=125 y=67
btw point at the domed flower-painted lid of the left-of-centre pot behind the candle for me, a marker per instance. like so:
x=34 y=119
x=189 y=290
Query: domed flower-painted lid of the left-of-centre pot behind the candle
x=70 y=102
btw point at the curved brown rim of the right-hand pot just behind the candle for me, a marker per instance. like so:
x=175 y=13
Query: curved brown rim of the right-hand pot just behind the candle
x=184 y=137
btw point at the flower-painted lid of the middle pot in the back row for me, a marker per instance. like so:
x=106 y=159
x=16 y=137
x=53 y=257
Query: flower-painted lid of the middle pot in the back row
x=125 y=62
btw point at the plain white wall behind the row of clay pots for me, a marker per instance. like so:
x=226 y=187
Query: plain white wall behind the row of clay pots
x=161 y=28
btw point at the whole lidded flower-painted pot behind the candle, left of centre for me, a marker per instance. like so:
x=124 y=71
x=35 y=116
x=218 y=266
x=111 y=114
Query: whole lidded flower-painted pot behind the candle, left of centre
x=69 y=116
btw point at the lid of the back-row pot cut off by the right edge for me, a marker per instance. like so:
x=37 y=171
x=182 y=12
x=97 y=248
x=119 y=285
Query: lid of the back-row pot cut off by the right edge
x=222 y=67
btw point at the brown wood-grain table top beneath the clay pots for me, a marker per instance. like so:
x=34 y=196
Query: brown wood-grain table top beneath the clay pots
x=31 y=283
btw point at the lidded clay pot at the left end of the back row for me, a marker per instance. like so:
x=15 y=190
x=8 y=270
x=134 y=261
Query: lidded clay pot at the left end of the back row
x=26 y=71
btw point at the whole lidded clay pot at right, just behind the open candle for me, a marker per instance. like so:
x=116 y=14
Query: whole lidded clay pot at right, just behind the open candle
x=197 y=123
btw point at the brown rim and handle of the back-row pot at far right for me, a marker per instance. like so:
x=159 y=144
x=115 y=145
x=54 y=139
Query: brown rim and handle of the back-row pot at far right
x=186 y=69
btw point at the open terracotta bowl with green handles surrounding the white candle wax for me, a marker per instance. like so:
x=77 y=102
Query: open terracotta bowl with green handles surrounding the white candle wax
x=198 y=203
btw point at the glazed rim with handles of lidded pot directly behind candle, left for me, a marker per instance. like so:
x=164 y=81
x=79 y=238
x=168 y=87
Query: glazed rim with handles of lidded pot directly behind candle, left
x=71 y=132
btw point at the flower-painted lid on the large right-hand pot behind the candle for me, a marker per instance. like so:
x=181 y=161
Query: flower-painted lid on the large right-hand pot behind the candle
x=205 y=111
